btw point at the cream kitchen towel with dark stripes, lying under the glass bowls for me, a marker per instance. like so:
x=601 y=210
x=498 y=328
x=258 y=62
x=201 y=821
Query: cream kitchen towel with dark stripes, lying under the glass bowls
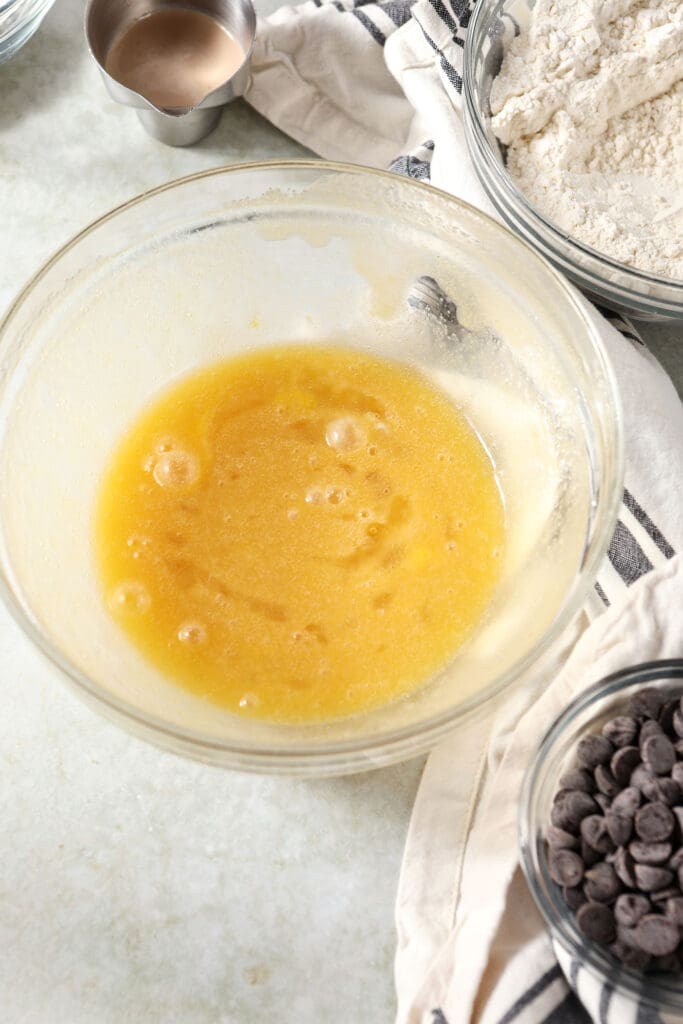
x=380 y=84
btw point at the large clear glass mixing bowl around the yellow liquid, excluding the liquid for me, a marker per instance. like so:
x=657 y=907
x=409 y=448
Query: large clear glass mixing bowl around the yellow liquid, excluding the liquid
x=258 y=255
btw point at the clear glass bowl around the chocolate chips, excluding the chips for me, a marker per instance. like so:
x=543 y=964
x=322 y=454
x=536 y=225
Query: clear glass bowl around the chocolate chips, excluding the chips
x=584 y=962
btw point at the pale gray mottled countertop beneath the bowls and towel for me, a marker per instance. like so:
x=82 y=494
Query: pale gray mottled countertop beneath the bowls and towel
x=135 y=886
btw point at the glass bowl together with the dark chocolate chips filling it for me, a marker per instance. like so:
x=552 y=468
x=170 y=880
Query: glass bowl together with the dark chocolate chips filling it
x=602 y=838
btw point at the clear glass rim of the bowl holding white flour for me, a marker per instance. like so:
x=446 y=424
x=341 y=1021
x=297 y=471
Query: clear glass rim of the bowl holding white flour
x=559 y=241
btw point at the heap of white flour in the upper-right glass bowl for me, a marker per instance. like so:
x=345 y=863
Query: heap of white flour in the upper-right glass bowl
x=590 y=103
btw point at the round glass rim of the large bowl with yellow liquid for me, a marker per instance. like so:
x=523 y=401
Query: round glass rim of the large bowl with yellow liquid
x=351 y=755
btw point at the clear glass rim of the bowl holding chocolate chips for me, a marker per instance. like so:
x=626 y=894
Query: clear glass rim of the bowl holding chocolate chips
x=546 y=895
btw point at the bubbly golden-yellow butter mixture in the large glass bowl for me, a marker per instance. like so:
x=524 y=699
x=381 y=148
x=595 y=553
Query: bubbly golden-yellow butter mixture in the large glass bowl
x=301 y=534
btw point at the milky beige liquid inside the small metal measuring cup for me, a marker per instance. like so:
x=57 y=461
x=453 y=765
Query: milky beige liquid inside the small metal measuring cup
x=175 y=58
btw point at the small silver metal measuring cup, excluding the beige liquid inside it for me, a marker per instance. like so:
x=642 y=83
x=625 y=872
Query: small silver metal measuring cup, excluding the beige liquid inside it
x=106 y=20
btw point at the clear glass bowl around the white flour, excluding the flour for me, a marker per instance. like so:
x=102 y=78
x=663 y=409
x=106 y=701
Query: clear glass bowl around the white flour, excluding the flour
x=604 y=280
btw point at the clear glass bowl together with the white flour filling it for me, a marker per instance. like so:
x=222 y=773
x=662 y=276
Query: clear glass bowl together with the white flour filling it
x=574 y=123
